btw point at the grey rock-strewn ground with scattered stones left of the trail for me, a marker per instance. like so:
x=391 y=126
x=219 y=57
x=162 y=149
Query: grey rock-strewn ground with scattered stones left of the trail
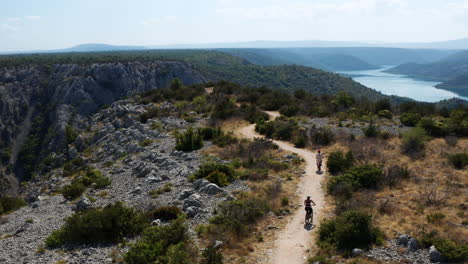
x=111 y=144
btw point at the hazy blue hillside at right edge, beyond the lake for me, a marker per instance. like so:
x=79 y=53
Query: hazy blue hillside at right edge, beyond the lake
x=451 y=71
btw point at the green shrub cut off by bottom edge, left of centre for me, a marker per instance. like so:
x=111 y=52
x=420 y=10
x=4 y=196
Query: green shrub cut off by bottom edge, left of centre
x=160 y=244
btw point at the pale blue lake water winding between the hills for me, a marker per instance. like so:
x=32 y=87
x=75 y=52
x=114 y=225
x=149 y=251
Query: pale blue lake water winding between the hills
x=393 y=84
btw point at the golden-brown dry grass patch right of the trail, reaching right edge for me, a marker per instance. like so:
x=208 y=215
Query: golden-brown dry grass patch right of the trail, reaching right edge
x=433 y=187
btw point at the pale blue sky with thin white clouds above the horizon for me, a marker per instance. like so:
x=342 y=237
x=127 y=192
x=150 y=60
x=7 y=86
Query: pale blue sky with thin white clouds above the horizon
x=51 y=24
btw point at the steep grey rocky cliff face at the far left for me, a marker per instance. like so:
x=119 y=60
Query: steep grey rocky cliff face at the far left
x=67 y=94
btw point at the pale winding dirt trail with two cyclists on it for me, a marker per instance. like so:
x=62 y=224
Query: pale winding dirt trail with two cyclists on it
x=293 y=241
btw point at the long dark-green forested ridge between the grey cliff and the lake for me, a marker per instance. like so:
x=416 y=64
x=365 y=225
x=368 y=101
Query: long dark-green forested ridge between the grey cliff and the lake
x=215 y=66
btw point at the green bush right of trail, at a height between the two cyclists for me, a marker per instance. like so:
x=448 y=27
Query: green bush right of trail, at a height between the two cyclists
x=364 y=176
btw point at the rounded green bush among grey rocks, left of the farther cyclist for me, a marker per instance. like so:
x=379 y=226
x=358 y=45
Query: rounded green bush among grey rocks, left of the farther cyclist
x=218 y=173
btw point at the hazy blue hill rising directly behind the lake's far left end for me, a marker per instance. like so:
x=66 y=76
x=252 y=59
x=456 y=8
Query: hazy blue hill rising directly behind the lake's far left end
x=325 y=61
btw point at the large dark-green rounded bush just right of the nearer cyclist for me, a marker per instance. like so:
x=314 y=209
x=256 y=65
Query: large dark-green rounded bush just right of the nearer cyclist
x=352 y=229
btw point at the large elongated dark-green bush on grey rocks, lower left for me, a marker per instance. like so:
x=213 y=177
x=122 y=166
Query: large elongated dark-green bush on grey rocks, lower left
x=110 y=224
